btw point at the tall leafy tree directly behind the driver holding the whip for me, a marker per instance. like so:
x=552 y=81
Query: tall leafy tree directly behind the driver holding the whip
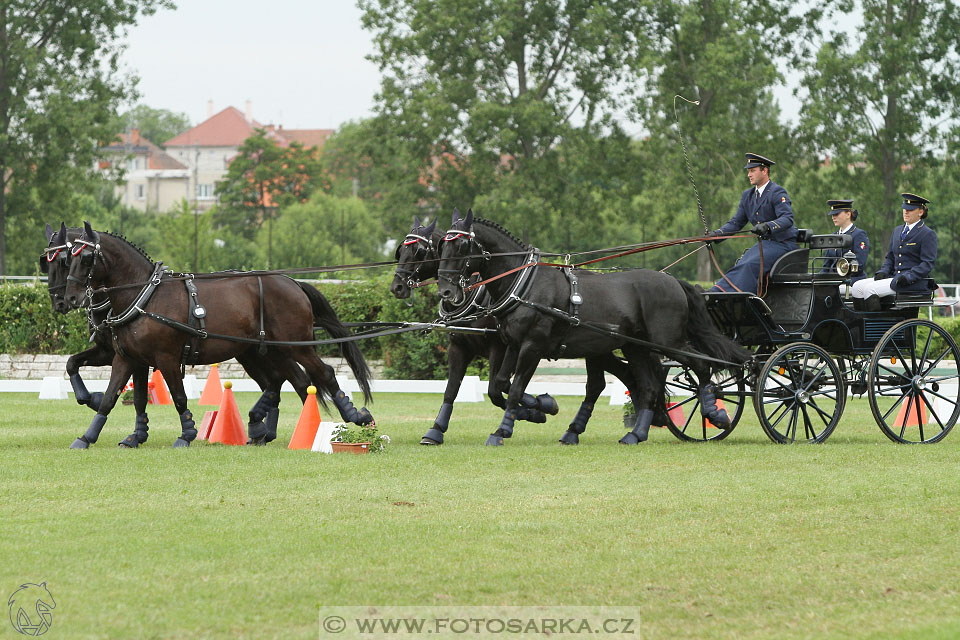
x=721 y=55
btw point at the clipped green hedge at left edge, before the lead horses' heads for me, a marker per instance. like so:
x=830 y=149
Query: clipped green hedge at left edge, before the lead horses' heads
x=28 y=323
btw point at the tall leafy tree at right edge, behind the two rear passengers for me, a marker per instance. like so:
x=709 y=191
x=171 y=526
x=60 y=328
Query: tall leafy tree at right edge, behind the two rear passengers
x=876 y=103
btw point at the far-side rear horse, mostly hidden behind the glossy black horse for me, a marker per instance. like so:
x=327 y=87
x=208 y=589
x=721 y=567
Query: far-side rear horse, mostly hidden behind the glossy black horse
x=417 y=260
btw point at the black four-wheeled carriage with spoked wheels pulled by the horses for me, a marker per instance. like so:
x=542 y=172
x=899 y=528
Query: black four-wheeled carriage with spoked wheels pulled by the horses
x=813 y=348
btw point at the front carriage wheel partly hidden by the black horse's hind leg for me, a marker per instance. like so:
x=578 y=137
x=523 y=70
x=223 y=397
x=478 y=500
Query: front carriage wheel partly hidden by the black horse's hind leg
x=682 y=392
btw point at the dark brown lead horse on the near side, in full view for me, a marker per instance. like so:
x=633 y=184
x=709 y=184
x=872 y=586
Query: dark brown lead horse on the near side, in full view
x=245 y=311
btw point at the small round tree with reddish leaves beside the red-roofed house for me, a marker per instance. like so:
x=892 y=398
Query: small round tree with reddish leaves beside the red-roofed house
x=262 y=178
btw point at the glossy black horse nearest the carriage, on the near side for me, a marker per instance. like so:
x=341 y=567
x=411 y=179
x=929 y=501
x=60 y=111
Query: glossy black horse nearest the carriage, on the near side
x=581 y=313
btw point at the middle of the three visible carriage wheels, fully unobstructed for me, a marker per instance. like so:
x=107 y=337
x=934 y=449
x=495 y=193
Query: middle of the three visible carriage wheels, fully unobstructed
x=799 y=394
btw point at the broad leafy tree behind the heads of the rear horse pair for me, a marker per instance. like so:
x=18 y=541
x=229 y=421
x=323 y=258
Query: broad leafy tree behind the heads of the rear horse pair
x=481 y=95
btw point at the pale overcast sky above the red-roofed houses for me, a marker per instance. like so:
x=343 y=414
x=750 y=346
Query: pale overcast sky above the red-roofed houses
x=300 y=63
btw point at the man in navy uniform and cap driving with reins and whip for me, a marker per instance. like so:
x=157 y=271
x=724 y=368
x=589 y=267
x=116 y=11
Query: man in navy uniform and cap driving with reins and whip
x=766 y=206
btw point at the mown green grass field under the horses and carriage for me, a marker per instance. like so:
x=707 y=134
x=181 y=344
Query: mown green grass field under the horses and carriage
x=854 y=538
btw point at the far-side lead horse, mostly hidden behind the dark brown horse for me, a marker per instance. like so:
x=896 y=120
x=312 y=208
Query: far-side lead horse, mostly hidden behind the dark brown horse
x=262 y=427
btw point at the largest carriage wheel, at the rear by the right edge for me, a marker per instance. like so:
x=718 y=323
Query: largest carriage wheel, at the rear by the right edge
x=914 y=383
